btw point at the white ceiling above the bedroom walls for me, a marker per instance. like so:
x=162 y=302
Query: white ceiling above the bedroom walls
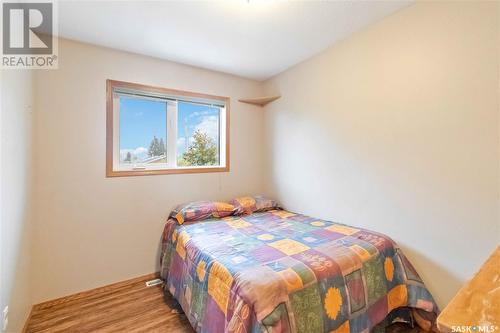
x=255 y=39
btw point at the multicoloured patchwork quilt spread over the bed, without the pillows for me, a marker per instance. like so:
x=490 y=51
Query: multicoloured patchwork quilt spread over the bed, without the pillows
x=278 y=271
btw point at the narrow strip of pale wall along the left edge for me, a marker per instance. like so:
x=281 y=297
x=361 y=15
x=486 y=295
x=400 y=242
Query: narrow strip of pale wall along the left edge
x=15 y=227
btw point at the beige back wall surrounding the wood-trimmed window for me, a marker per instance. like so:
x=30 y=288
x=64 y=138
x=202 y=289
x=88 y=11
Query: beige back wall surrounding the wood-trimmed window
x=92 y=230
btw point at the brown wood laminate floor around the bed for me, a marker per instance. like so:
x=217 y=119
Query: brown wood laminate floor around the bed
x=127 y=306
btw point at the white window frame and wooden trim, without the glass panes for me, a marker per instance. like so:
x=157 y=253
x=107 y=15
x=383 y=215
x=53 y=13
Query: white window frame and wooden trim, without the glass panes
x=171 y=97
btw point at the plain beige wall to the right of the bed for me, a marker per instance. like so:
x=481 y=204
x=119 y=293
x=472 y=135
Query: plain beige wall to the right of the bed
x=396 y=129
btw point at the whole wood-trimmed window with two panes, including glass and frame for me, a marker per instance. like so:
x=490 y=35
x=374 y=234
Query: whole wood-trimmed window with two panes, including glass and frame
x=159 y=131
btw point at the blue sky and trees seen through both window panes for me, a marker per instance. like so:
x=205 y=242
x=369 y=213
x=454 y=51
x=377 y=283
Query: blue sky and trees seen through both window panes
x=143 y=133
